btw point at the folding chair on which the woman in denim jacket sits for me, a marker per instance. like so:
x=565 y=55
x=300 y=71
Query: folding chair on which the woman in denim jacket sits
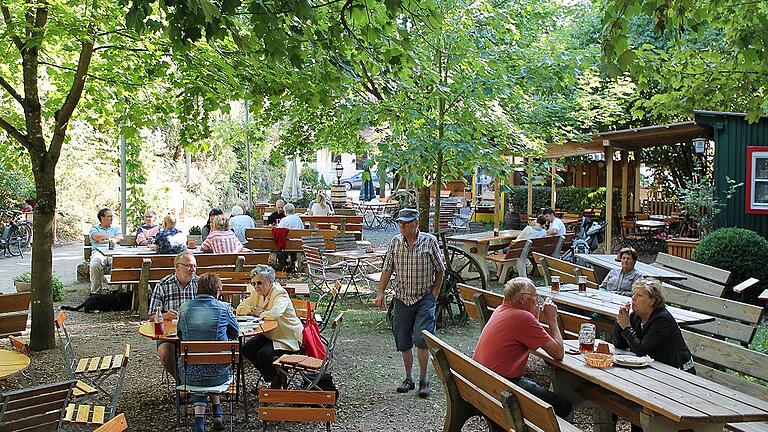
x=192 y=353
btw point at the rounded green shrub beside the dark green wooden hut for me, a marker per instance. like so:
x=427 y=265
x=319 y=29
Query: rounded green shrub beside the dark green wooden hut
x=740 y=251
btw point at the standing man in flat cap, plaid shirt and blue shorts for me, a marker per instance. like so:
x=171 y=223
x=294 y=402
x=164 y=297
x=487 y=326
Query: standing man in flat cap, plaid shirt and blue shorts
x=417 y=262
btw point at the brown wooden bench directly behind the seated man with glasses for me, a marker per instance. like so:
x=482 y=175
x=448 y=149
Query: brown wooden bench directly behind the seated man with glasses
x=145 y=270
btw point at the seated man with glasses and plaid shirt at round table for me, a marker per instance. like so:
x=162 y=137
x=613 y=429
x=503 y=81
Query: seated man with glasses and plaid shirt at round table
x=168 y=295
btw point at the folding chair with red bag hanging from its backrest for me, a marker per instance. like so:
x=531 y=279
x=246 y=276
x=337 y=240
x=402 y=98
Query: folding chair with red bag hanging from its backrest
x=310 y=369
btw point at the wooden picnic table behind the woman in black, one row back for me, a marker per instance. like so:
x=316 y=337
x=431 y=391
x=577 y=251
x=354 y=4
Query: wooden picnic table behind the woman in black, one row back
x=608 y=304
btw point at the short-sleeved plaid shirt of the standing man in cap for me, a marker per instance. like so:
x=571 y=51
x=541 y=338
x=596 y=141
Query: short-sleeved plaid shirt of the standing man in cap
x=414 y=267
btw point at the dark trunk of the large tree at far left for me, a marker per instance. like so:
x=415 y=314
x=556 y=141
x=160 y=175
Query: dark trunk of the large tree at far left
x=41 y=336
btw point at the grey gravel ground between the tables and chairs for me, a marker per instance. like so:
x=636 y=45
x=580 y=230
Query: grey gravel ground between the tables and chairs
x=367 y=370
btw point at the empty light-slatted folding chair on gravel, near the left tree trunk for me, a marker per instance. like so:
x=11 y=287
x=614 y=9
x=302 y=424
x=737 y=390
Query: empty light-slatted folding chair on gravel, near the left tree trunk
x=100 y=379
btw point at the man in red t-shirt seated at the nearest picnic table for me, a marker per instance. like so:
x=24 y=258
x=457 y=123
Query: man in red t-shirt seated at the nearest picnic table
x=513 y=332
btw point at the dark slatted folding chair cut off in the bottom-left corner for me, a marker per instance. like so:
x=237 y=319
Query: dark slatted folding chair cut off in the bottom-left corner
x=35 y=409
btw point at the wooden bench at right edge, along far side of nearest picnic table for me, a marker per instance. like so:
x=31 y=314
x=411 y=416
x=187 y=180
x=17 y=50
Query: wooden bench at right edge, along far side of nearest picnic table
x=717 y=361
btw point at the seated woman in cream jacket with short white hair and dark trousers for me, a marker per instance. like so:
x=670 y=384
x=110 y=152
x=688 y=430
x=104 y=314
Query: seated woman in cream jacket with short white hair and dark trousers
x=272 y=302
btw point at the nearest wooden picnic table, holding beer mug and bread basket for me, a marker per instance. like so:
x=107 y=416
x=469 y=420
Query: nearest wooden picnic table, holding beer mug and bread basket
x=658 y=396
